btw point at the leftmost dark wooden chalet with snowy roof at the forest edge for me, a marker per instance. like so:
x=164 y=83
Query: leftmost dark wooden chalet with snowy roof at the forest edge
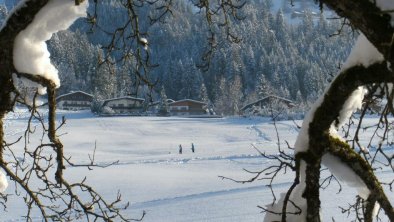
x=75 y=100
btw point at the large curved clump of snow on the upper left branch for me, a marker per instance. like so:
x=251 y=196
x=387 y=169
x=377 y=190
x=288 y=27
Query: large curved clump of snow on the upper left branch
x=30 y=50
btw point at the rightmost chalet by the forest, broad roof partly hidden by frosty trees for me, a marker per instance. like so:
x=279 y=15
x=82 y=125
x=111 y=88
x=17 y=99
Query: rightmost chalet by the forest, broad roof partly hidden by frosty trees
x=267 y=104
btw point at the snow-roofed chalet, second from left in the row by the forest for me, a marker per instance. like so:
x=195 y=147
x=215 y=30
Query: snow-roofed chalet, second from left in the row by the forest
x=124 y=105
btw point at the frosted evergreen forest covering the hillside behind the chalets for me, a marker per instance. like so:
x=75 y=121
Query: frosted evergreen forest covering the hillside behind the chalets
x=291 y=60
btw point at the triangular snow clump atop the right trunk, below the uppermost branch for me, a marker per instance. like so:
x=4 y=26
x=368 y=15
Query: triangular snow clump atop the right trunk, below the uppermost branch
x=363 y=53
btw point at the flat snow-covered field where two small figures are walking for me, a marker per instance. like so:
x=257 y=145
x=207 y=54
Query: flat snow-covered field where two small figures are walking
x=169 y=186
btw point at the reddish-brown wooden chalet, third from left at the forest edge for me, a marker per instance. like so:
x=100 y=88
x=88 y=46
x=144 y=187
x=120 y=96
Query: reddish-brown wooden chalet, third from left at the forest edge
x=187 y=107
